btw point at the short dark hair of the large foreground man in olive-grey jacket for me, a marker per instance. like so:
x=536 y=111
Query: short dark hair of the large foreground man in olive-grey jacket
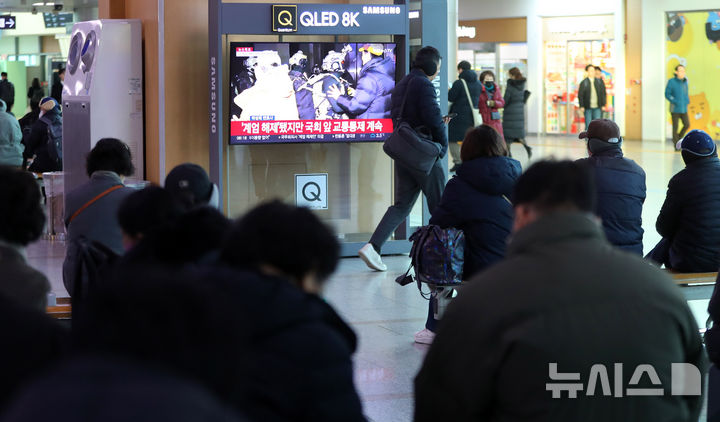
x=553 y=185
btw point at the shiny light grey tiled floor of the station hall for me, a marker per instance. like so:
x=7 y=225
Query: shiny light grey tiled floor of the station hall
x=385 y=316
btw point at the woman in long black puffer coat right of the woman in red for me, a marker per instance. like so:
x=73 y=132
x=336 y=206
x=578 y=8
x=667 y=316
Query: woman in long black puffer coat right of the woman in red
x=514 y=113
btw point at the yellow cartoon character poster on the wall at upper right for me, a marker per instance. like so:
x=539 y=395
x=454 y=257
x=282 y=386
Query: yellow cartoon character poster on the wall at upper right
x=693 y=40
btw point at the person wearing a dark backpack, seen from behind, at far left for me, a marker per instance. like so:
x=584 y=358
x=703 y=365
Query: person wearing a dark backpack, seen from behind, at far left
x=44 y=145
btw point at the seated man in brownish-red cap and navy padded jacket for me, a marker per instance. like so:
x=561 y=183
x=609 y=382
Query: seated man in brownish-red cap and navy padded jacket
x=620 y=185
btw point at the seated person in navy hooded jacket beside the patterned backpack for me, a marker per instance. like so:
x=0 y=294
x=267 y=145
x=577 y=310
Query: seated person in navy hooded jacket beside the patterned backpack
x=477 y=201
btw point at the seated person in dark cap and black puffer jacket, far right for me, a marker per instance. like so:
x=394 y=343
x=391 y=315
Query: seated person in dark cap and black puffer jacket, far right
x=689 y=220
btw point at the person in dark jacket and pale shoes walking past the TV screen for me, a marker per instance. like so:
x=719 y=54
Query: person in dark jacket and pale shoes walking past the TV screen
x=415 y=98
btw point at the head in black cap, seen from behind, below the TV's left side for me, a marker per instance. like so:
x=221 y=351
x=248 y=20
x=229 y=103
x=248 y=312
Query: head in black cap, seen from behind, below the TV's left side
x=192 y=187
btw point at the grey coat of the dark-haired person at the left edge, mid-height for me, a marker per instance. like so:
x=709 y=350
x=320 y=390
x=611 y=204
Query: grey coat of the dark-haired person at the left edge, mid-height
x=20 y=282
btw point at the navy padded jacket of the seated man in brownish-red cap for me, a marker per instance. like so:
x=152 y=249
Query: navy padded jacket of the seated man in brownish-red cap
x=621 y=193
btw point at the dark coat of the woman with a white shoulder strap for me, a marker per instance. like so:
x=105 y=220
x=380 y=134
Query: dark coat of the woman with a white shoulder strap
x=459 y=124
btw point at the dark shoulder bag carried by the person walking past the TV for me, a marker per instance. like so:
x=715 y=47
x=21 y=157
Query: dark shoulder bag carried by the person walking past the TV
x=411 y=147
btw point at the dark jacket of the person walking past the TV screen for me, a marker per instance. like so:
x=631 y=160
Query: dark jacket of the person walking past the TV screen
x=421 y=106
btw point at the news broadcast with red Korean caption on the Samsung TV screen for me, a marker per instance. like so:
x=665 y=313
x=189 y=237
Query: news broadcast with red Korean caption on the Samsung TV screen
x=311 y=92
